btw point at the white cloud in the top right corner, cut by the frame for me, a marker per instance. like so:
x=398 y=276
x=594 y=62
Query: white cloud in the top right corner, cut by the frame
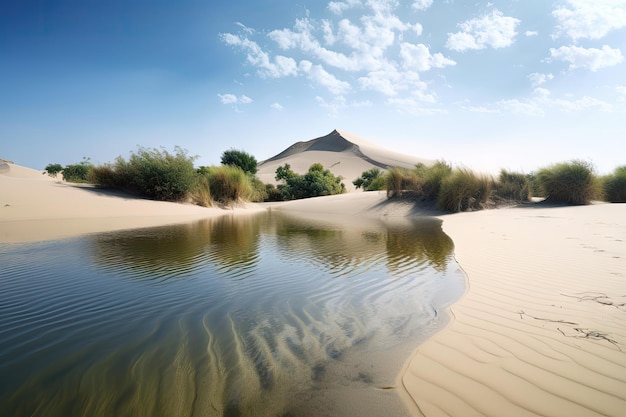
x=586 y=19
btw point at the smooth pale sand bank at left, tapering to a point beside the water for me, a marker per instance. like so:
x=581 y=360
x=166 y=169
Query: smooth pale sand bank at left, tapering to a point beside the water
x=36 y=207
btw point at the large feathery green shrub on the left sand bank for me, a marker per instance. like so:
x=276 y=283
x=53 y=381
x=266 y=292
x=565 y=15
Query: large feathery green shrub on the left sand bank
x=153 y=173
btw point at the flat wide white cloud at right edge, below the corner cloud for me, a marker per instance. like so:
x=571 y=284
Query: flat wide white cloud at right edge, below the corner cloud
x=590 y=58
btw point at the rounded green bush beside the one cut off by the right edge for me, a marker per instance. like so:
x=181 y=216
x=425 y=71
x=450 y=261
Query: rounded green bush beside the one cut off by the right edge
x=570 y=182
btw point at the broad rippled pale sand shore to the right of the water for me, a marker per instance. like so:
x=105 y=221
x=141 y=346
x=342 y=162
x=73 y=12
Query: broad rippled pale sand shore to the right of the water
x=542 y=328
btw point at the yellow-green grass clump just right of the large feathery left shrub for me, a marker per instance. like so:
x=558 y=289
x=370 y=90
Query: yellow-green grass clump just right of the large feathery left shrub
x=227 y=183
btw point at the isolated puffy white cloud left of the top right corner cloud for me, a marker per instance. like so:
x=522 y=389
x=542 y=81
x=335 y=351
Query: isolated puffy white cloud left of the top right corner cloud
x=494 y=30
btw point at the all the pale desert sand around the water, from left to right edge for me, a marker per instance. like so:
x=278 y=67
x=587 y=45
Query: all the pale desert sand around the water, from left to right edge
x=541 y=330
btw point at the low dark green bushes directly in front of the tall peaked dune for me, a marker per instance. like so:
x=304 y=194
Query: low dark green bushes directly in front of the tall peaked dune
x=316 y=182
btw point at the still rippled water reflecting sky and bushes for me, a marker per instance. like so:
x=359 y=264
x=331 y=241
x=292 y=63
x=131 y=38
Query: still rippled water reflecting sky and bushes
x=260 y=315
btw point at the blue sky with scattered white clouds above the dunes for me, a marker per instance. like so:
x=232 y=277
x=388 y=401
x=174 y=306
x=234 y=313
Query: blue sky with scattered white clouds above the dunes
x=487 y=85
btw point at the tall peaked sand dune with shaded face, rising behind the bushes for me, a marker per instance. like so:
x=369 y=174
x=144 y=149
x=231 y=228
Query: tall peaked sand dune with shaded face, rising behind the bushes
x=341 y=152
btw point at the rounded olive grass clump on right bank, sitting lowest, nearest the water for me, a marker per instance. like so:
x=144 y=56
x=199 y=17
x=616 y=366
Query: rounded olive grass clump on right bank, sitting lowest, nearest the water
x=464 y=190
